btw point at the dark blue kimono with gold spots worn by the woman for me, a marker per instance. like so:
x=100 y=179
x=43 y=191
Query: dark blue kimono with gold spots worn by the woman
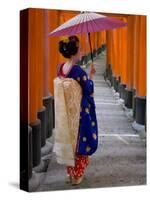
x=88 y=127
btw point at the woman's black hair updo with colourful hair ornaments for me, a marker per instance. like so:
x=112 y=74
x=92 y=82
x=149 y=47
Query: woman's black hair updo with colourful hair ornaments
x=69 y=46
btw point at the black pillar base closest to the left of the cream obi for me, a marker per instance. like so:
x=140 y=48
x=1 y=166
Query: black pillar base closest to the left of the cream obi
x=48 y=102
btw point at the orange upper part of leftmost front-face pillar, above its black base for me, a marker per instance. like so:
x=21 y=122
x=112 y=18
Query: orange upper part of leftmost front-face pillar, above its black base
x=36 y=61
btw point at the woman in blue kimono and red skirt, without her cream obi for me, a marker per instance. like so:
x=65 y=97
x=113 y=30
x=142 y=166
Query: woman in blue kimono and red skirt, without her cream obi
x=87 y=141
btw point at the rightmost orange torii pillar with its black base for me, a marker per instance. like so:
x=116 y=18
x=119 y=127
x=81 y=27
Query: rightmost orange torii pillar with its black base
x=140 y=76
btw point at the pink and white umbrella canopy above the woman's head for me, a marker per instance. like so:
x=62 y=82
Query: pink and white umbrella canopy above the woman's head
x=87 y=22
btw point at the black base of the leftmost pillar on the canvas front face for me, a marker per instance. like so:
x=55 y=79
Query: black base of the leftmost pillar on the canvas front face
x=36 y=142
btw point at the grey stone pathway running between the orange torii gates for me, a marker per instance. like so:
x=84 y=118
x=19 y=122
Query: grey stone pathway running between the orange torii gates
x=121 y=156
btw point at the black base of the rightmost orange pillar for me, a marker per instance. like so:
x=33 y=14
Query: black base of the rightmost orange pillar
x=140 y=113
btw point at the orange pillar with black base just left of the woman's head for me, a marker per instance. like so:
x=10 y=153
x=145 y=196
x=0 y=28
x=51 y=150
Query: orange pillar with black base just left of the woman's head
x=50 y=67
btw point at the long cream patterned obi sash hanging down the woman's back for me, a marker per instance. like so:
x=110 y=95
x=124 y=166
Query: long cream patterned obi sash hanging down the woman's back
x=67 y=97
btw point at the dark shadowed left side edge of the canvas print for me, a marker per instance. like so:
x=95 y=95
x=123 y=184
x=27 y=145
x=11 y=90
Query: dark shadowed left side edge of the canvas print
x=25 y=130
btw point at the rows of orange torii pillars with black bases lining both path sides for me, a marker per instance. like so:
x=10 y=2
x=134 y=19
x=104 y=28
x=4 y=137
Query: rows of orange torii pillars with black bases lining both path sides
x=39 y=57
